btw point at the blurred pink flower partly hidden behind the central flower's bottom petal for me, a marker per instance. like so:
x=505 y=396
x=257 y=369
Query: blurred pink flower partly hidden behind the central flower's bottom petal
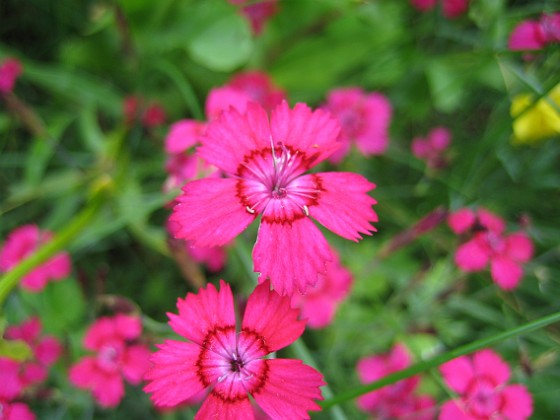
x=320 y=302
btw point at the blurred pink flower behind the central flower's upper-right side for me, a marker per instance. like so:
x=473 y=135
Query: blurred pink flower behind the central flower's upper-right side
x=364 y=119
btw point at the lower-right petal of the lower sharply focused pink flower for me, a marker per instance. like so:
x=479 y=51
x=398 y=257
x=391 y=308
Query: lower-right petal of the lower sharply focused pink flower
x=290 y=389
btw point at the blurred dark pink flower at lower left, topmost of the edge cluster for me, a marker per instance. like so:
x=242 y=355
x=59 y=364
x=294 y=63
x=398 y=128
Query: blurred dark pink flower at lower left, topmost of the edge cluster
x=46 y=350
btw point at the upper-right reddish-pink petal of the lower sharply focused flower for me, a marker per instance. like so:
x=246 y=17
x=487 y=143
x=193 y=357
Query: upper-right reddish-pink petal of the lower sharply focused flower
x=270 y=315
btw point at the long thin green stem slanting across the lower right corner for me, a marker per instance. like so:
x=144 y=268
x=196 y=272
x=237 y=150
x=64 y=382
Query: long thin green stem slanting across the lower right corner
x=426 y=365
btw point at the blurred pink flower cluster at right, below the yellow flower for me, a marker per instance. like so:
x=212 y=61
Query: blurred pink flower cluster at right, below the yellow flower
x=488 y=243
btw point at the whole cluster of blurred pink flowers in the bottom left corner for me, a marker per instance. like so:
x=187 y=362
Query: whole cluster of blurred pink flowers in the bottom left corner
x=17 y=377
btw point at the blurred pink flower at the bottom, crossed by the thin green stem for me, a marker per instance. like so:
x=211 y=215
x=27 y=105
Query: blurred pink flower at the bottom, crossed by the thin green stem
x=397 y=400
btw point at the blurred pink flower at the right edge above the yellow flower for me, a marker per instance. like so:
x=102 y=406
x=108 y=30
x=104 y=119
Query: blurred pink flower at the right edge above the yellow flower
x=535 y=34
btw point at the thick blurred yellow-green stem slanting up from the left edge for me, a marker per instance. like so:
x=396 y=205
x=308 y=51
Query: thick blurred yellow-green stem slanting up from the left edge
x=11 y=279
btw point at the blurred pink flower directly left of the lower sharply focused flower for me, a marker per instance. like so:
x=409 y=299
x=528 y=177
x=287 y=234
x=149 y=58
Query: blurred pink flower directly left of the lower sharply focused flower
x=118 y=355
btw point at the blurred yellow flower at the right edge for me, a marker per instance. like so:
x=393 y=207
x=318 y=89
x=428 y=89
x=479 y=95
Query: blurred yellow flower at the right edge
x=540 y=121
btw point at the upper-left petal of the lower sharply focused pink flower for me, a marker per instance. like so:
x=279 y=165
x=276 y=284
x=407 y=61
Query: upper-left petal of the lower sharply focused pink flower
x=201 y=313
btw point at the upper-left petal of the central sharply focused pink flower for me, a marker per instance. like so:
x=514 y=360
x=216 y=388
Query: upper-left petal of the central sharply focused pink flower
x=233 y=136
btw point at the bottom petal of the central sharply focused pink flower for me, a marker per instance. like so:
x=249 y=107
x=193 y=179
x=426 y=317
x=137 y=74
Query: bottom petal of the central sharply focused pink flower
x=290 y=254
